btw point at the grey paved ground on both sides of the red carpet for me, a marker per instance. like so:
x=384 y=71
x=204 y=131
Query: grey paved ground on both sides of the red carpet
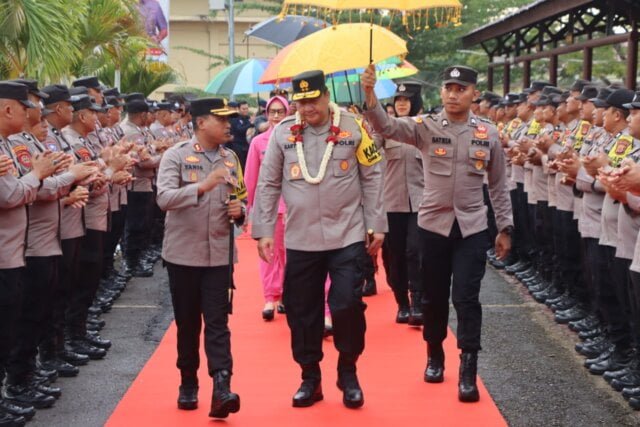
x=528 y=362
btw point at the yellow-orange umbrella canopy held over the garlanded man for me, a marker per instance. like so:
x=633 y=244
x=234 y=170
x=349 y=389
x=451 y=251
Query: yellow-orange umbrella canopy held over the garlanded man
x=337 y=48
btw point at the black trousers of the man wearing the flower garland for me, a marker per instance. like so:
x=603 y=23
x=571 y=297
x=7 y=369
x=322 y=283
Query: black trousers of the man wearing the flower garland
x=303 y=295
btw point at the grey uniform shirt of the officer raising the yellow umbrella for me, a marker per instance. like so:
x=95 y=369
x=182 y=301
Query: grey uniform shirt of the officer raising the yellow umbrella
x=456 y=159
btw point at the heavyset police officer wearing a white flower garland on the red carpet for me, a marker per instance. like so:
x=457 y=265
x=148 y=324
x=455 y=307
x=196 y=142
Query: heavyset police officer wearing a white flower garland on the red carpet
x=325 y=164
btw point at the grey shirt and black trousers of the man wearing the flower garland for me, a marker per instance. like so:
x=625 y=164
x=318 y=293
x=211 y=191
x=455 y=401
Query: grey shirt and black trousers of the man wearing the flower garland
x=325 y=231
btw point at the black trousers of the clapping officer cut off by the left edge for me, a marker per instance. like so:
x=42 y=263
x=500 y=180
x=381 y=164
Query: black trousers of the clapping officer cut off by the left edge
x=11 y=287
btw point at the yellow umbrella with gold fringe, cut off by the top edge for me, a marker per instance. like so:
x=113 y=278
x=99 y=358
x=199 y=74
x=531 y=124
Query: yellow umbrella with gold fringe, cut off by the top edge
x=413 y=11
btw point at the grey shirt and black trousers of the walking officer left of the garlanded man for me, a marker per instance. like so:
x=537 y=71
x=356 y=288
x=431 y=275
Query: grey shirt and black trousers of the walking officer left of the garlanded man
x=196 y=250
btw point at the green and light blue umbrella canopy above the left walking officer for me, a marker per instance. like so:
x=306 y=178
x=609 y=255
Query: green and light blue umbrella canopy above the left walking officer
x=240 y=78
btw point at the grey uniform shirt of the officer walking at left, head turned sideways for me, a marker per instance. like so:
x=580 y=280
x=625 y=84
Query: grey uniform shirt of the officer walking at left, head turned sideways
x=196 y=229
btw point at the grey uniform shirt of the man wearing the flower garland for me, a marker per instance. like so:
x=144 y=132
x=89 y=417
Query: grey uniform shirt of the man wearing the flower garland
x=333 y=214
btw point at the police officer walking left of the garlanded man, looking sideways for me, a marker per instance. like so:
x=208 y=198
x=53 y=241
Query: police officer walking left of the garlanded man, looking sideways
x=195 y=181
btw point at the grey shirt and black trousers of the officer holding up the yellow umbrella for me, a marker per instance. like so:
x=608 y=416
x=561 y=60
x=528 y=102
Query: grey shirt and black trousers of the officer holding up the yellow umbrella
x=453 y=215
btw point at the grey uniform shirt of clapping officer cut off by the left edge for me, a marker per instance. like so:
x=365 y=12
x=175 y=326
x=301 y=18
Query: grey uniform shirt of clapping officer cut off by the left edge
x=16 y=191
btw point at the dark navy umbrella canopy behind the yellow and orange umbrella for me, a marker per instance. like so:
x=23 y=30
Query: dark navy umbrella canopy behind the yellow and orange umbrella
x=284 y=30
